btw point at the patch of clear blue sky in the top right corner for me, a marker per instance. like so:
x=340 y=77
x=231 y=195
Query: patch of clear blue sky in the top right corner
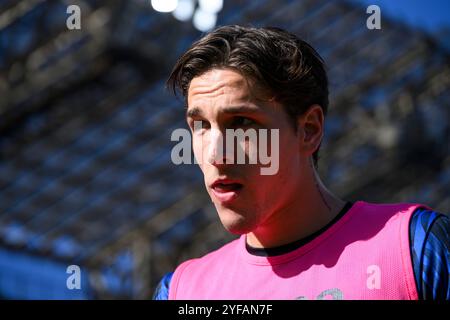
x=425 y=14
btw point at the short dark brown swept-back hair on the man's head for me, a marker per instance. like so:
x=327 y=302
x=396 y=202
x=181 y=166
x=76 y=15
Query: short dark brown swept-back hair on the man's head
x=286 y=67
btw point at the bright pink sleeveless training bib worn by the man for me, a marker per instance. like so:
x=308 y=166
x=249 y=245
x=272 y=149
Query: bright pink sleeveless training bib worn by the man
x=364 y=255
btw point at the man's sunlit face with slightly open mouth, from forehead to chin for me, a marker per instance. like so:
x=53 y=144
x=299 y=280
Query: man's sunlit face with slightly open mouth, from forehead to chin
x=245 y=200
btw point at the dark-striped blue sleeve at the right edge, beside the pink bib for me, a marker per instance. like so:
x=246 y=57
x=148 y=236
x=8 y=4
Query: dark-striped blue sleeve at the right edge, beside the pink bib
x=429 y=235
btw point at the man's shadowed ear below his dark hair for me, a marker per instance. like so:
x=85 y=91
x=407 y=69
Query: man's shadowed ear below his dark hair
x=311 y=125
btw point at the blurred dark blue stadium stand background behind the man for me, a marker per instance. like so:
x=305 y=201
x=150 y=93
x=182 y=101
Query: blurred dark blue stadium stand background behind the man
x=85 y=123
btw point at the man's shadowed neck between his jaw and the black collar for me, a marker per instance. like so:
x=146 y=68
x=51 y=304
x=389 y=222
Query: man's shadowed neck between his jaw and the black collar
x=311 y=208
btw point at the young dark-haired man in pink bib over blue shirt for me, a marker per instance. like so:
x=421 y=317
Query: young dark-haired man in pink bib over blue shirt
x=298 y=240
